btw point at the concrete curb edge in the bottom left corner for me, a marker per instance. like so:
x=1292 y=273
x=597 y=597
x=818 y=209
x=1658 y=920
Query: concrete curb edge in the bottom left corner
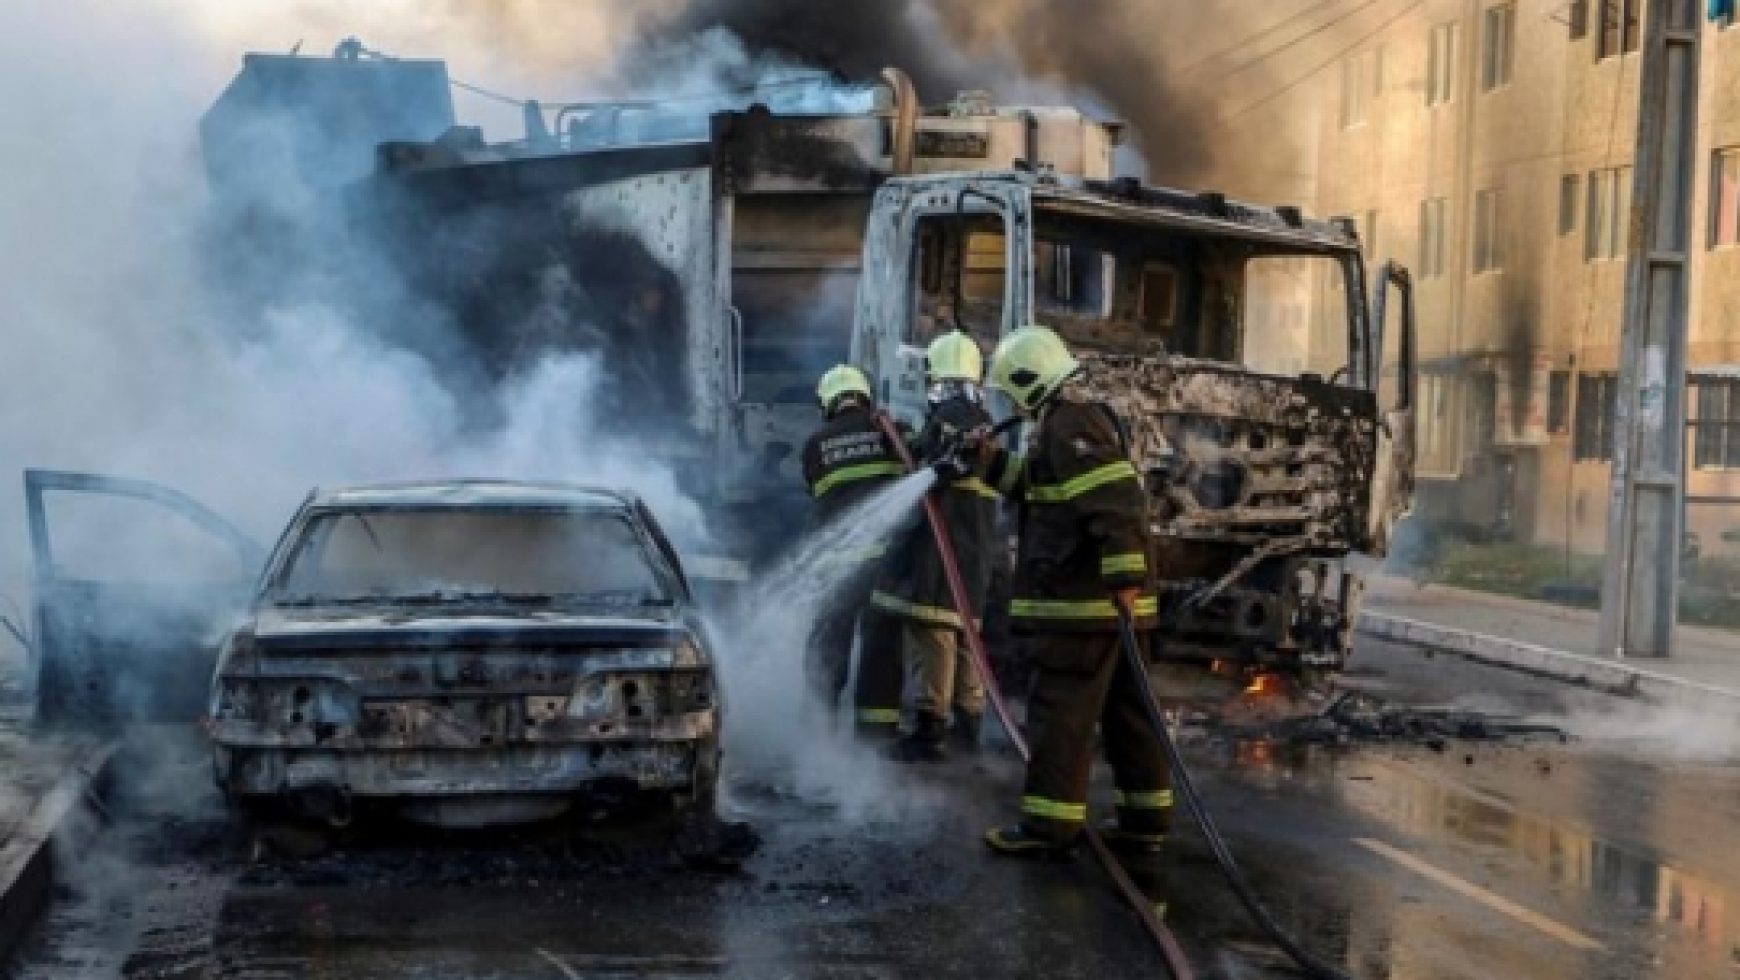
x=27 y=861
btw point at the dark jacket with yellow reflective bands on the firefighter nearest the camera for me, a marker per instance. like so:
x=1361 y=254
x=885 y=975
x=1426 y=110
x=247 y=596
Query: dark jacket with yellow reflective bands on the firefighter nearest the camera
x=1083 y=532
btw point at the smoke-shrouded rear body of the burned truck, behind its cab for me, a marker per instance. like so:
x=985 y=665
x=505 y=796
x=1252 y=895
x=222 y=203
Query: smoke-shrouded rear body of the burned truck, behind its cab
x=709 y=260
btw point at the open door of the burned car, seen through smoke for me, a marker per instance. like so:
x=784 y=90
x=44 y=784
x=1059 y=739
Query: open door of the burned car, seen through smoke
x=135 y=587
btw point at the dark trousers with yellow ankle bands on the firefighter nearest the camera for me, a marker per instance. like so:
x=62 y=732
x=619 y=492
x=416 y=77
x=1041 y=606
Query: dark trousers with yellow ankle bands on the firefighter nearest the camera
x=1083 y=683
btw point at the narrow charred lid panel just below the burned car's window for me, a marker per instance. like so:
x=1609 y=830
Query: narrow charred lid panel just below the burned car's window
x=413 y=629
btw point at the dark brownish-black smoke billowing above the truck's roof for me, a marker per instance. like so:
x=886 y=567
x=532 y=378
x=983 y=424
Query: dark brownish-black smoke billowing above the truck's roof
x=1118 y=58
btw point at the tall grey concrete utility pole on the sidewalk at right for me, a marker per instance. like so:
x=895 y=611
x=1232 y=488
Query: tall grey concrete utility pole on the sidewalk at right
x=1645 y=507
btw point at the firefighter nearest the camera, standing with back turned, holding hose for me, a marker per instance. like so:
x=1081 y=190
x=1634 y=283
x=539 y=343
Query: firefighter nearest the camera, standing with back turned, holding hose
x=1083 y=544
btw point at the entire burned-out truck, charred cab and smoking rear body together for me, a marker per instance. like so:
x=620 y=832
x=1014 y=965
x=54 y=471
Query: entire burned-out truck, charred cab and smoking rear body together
x=716 y=262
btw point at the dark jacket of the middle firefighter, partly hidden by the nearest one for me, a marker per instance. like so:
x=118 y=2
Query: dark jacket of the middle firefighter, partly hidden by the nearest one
x=914 y=584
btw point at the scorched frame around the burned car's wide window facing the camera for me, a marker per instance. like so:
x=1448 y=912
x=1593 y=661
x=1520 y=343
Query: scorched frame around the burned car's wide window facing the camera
x=664 y=589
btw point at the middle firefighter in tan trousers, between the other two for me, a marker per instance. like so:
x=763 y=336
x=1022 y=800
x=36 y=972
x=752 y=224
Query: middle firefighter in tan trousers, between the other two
x=916 y=591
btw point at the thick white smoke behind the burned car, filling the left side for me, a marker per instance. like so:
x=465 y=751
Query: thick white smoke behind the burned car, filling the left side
x=121 y=356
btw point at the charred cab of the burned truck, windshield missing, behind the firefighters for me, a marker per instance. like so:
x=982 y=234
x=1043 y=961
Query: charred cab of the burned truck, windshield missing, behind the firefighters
x=1268 y=401
